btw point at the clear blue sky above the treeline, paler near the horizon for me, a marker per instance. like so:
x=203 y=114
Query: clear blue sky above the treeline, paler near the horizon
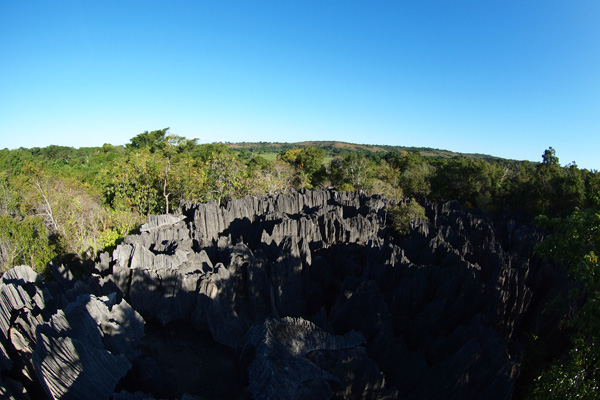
x=506 y=78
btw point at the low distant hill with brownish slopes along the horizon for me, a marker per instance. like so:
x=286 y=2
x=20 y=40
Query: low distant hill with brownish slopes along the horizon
x=333 y=148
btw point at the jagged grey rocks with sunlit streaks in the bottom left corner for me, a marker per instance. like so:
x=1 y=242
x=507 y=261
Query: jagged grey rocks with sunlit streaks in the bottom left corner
x=56 y=349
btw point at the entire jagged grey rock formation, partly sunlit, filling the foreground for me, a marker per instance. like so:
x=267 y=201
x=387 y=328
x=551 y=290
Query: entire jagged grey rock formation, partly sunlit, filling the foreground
x=301 y=295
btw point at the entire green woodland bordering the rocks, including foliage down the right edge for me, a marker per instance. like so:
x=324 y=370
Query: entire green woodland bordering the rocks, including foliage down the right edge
x=65 y=205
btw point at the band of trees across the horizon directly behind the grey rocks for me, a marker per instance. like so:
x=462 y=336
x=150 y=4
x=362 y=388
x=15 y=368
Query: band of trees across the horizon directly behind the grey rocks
x=89 y=198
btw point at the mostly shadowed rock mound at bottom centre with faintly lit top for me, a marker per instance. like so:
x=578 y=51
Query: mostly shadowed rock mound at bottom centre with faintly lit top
x=294 y=359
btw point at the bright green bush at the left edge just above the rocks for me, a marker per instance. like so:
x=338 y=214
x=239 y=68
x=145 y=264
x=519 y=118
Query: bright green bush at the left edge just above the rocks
x=24 y=242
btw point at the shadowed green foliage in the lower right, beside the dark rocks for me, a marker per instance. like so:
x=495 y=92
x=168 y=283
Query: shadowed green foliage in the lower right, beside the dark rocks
x=575 y=242
